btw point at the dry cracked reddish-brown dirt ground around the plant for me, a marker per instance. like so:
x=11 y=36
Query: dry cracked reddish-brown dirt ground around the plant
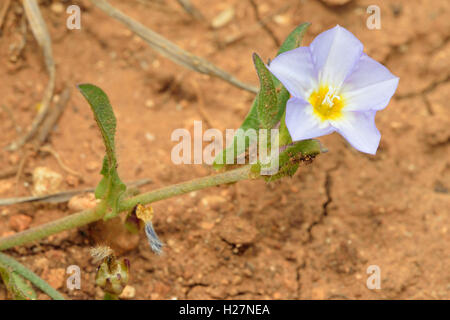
x=309 y=237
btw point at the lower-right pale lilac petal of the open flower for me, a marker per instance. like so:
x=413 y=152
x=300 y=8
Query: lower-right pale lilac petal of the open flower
x=359 y=129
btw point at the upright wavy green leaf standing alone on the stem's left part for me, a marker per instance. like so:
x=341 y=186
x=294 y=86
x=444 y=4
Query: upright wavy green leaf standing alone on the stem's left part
x=110 y=188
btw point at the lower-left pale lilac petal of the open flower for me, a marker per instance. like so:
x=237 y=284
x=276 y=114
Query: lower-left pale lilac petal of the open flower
x=302 y=124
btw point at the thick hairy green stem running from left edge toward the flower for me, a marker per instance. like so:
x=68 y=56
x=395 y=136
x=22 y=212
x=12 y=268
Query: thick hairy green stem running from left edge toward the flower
x=88 y=216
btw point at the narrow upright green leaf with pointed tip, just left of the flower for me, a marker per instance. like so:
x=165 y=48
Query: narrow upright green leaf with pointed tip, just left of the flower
x=267 y=99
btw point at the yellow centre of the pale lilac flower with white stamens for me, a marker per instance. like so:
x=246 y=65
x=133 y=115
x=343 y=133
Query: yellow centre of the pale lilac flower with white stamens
x=327 y=105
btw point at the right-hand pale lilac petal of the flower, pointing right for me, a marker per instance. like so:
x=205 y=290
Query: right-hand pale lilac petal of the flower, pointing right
x=369 y=87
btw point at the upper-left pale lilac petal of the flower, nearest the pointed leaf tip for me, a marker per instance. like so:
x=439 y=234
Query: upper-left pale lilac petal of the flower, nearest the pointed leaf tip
x=295 y=70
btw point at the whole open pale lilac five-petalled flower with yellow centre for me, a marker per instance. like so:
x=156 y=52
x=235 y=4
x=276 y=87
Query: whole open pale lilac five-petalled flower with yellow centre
x=334 y=86
